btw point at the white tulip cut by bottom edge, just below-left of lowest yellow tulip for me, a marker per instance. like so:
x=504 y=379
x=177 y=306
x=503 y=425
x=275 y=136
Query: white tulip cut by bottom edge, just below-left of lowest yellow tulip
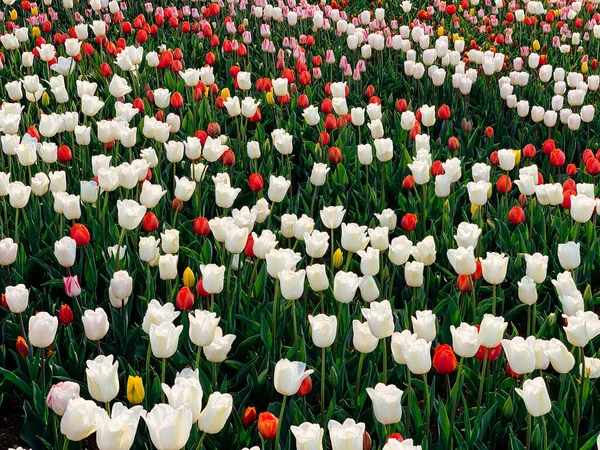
x=118 y=431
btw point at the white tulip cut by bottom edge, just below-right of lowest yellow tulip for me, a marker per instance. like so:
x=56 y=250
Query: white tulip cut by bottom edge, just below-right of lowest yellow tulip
x=169 y=428
